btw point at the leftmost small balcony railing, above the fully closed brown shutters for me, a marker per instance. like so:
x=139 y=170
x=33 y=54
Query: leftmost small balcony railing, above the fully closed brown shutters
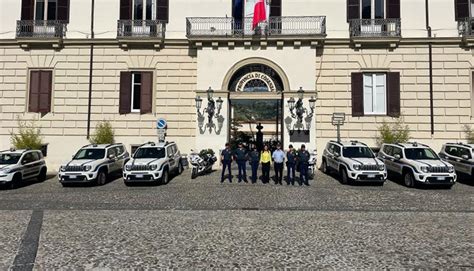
x=41 y=29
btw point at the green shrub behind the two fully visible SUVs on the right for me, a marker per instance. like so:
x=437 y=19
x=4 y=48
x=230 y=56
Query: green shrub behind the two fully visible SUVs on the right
x=397 y=132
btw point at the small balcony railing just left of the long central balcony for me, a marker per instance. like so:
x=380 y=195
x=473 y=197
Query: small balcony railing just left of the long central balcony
x=141 y=29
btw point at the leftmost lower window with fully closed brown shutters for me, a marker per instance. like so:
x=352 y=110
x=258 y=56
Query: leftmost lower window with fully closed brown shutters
x=40 y=91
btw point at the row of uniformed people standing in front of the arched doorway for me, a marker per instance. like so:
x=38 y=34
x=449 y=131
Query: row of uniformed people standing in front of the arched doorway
x=266 y=158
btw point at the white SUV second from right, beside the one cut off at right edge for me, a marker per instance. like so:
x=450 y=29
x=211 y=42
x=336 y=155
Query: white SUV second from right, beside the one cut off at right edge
x=417 y=163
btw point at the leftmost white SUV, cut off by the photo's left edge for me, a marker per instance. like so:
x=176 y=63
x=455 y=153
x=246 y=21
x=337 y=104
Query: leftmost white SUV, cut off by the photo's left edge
x=19 y=165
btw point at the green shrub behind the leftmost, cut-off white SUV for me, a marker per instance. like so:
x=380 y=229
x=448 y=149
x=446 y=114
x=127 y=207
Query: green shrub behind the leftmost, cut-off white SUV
x=28 y=136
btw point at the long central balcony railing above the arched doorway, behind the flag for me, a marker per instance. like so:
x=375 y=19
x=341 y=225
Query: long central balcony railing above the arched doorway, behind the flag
x=228 y=27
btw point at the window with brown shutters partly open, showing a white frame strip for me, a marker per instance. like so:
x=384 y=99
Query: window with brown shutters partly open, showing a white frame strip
x=136 y=92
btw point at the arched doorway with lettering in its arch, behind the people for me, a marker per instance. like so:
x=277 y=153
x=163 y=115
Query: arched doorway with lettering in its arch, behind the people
x=256 y=93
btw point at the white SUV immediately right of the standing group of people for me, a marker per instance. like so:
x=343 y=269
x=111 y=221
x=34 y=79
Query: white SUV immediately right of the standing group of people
x=354 y=161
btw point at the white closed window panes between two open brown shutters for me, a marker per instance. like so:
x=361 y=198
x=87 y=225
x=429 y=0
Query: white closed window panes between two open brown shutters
x=375 y=101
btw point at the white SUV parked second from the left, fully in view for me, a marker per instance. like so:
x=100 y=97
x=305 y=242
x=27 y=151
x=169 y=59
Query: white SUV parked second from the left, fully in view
x=94 y=163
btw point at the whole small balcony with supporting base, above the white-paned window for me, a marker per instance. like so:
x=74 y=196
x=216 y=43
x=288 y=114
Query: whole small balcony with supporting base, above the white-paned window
x=375 y=31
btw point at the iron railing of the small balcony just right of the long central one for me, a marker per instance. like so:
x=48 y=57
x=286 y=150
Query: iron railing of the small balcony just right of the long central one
x=375 y=28
